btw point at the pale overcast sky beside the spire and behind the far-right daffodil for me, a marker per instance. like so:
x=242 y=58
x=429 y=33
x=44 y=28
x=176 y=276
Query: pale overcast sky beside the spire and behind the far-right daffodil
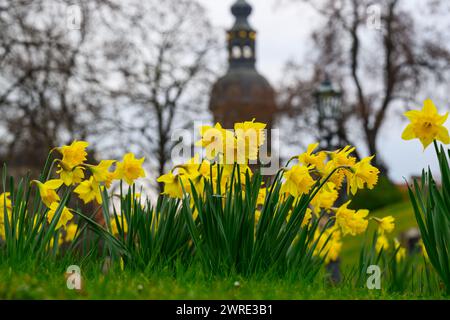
x=283 y=33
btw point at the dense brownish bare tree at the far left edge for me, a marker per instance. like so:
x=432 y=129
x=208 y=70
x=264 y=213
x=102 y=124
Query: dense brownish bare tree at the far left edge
x=46 y=79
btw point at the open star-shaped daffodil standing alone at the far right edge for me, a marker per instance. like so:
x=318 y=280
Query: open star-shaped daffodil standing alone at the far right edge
x=426 y=125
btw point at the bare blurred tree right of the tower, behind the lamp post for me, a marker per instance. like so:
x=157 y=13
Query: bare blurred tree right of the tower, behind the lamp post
x=381 y=53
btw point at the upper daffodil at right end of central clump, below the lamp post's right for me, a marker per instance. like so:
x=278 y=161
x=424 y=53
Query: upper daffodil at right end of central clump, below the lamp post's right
x=363 y=174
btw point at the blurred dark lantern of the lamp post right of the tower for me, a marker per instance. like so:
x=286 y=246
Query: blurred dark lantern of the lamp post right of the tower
x=328 y=101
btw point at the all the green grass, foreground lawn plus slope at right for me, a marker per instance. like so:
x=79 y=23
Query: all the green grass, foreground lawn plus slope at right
x=47 y=281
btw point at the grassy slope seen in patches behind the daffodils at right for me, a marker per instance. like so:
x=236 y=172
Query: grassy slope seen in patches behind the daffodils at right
x=404 y=220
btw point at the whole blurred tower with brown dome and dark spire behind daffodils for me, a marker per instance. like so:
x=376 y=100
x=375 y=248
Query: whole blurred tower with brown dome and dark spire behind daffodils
x=242 y=94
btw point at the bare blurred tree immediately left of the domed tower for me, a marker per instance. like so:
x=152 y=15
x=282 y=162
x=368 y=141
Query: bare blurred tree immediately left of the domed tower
x=160 y=62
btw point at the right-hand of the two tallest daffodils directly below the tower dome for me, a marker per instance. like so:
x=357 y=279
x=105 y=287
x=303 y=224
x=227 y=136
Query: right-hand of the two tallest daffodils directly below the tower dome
x=249 y=137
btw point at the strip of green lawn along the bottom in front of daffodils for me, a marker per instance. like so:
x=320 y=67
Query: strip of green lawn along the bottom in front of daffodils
x=50 y=283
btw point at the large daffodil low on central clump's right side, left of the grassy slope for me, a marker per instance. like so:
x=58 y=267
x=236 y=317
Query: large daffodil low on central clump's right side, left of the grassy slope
x=351 y=221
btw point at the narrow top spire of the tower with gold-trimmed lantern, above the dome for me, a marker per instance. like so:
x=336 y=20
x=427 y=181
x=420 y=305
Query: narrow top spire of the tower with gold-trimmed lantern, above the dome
x=241 y=37
